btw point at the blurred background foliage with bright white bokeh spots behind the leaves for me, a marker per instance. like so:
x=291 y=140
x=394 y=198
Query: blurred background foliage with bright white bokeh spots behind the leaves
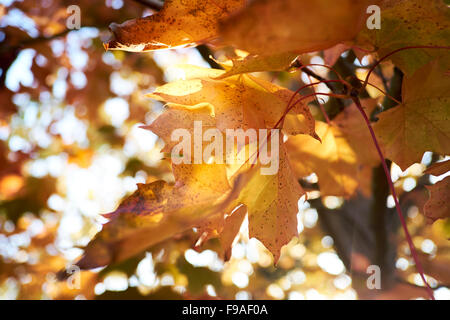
x=71 y=149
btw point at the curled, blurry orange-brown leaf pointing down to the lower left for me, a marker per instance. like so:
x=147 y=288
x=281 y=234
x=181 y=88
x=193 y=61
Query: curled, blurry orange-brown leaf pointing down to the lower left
x=157 y=211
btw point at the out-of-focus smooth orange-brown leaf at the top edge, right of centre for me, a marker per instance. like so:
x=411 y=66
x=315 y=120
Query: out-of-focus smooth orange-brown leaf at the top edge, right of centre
x=272 y=27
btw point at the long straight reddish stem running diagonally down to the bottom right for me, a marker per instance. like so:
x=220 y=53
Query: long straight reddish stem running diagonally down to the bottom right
x=394 y=195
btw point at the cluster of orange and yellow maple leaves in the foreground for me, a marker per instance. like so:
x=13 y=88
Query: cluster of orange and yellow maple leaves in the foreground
x=337 y=152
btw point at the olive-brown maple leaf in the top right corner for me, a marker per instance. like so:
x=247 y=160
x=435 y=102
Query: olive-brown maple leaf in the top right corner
x=406 y=23
